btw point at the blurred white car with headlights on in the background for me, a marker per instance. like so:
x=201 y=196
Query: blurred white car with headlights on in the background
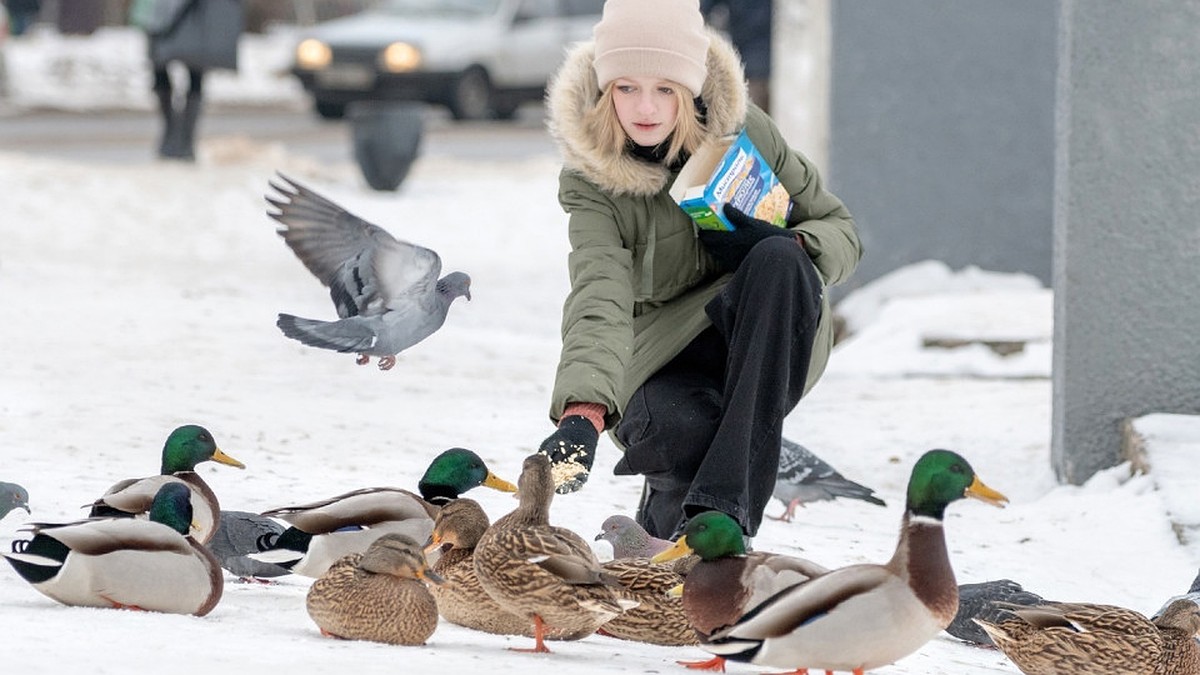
x=479 y=58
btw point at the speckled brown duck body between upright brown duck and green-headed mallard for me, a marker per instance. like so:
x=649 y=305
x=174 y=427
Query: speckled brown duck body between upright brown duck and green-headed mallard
x=659 y=618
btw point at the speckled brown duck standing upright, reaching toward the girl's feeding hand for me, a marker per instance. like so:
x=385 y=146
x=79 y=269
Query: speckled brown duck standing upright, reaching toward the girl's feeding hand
x=545 y=574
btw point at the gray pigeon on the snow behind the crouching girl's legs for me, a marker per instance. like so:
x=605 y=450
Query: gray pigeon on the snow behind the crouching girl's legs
x=803 y=477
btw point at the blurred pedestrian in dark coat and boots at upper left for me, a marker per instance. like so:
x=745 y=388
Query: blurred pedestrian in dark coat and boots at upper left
x=201 y=35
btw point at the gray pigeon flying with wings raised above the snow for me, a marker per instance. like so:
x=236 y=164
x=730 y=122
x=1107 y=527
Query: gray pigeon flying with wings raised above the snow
x=387 y=292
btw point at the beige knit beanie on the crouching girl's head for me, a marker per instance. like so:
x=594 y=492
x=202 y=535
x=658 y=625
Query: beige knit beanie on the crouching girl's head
x=664 y=39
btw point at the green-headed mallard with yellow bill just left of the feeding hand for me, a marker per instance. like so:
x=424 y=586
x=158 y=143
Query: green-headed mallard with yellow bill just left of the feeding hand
x=322 y=533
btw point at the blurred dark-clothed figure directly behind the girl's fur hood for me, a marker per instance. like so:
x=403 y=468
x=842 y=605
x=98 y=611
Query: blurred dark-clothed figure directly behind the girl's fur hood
x=748 y=23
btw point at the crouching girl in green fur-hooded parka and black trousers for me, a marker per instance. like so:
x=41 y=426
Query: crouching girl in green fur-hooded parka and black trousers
x=692 y=347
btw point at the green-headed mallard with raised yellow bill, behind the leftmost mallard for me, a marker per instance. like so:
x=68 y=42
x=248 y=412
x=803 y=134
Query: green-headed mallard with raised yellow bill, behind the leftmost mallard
x=187 y=447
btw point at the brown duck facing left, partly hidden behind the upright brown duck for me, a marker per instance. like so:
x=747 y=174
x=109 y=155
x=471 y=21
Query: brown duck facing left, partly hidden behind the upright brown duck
x=461 y=599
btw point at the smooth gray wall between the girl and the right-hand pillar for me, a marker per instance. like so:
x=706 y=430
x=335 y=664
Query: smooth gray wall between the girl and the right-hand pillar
x=943 y=132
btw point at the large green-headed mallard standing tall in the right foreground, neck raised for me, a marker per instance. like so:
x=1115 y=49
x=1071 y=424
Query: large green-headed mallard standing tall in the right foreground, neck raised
x=863 y=617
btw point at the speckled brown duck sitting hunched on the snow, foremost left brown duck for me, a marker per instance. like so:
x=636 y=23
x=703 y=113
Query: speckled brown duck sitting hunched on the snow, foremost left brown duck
x=377 y=595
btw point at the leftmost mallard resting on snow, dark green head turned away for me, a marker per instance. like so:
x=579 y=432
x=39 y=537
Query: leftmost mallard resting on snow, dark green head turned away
x=122 y=563
